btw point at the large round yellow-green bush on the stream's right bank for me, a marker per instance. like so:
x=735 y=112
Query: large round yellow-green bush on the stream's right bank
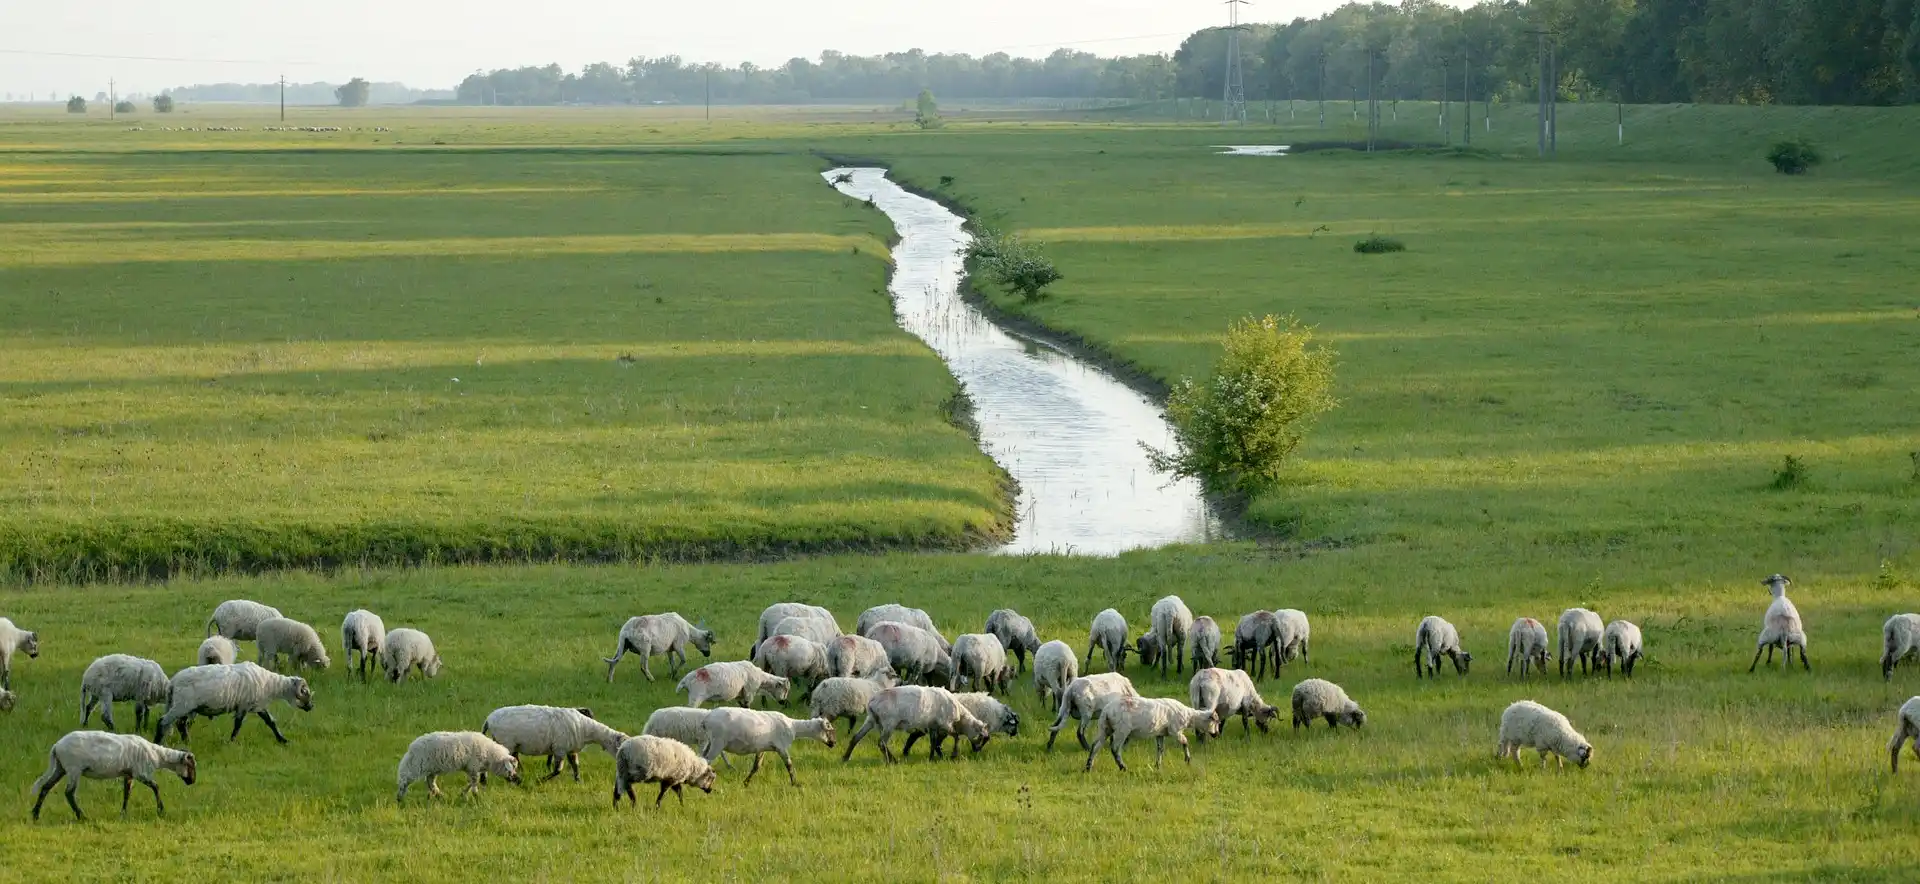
x=1237 y=430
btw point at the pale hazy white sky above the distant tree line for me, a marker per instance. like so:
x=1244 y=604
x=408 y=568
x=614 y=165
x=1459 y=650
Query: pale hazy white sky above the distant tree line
x=435 y=43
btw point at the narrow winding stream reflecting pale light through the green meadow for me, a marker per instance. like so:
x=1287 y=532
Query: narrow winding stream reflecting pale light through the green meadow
x=1067 y=431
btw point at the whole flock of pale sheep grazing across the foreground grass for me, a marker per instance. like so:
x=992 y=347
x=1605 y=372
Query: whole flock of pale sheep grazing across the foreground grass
x=896 y=674
